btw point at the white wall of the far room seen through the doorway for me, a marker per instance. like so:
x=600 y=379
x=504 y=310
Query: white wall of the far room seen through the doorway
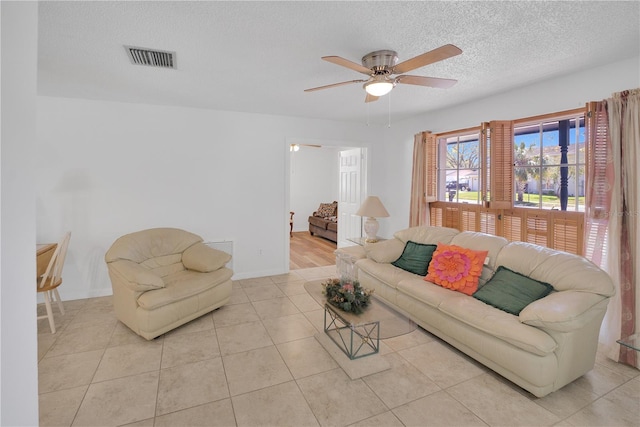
x=314 y=180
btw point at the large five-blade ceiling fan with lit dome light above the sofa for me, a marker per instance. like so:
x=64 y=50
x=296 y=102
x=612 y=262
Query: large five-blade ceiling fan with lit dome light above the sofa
x=381 y=66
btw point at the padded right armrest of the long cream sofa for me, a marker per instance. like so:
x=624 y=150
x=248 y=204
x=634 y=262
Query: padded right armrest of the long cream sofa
x=564 y=311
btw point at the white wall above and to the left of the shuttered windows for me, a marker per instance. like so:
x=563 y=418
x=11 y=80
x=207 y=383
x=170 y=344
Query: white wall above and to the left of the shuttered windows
x=391 y=171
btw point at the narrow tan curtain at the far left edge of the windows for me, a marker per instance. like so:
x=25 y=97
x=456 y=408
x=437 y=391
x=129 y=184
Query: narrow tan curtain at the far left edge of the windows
x=418 y=211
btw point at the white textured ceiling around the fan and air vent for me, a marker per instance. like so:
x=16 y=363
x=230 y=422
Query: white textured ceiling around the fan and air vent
x=260 y=56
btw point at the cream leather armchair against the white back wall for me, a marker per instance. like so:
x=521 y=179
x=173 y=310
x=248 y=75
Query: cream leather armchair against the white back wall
x=165 y=277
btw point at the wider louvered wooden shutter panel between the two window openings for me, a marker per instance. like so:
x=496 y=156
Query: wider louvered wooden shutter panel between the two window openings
x=501 y=169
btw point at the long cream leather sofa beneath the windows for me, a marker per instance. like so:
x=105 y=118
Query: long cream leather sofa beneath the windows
x=549 y=344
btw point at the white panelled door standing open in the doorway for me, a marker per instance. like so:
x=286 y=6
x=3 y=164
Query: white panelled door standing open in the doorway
x=350 y=197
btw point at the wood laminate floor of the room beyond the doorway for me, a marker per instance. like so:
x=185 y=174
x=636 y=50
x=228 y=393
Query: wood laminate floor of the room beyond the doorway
x=307 y=251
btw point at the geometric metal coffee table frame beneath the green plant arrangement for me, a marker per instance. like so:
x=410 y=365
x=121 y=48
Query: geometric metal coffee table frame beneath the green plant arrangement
x=356 y=340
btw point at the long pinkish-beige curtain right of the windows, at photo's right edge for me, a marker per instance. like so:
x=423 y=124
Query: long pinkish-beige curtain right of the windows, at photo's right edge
x=613 y=206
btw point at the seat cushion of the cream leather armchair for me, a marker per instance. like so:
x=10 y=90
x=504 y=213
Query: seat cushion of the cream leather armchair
x=181 y=285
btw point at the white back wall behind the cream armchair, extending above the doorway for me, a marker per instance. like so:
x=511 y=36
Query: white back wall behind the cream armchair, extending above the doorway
x=105 y=169
